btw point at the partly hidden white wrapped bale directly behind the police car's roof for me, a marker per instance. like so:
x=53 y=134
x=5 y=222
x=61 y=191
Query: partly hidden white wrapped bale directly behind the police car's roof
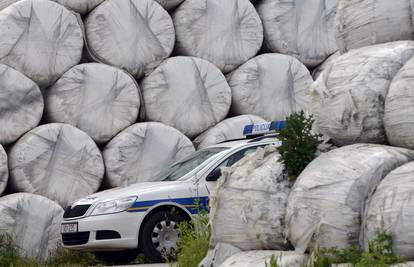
x=231 y=128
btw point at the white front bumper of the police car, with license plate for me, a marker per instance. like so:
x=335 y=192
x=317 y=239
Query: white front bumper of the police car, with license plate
x=126 y=224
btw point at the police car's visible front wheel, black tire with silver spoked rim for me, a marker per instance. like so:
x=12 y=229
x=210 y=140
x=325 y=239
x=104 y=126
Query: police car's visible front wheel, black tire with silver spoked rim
x=159 y=235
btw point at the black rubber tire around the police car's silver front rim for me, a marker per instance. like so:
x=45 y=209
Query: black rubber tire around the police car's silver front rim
x=146 y=244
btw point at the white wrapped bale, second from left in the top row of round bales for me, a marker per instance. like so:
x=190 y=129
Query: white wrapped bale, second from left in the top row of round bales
x=135 y=35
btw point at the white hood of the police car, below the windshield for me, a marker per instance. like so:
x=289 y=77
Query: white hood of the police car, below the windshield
x=131 y=190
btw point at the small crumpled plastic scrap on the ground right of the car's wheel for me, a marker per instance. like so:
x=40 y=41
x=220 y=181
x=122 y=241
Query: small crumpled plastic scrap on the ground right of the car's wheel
x=218 y=255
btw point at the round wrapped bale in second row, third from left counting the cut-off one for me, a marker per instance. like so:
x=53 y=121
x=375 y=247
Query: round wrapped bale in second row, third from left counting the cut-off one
x=187 y=93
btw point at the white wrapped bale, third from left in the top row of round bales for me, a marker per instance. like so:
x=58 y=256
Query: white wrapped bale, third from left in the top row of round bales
x=226 y=33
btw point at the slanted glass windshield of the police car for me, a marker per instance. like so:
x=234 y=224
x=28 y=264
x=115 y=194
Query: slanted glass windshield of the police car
x=188 y=164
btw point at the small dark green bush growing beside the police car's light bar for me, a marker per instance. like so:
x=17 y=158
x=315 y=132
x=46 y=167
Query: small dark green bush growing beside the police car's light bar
x=299 y=144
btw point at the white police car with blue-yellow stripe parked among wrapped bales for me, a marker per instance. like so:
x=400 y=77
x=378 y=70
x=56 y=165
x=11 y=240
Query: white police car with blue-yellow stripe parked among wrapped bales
x=145 y=215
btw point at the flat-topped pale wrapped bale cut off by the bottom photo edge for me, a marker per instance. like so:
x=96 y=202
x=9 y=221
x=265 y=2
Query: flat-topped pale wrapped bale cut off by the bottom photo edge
x=262 y=258
